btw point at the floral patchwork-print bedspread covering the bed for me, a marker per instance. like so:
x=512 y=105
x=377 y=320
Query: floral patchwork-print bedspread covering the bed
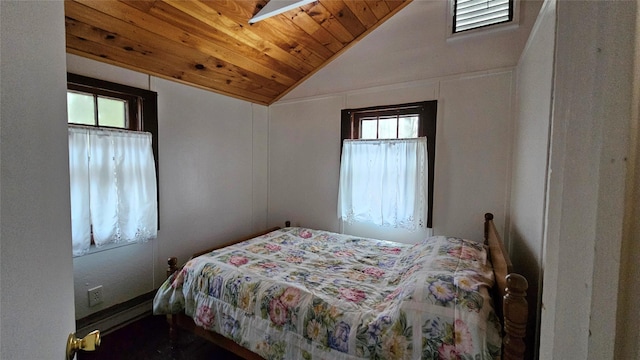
x=298 y=293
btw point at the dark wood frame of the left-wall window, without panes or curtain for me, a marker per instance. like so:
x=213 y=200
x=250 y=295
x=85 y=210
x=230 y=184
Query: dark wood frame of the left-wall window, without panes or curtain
x=142 y=114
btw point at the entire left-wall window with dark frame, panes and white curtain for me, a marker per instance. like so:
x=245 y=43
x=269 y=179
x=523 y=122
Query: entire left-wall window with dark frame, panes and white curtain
x=112 y=162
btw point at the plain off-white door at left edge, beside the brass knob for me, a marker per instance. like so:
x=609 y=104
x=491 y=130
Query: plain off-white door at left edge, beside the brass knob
x=36 y=297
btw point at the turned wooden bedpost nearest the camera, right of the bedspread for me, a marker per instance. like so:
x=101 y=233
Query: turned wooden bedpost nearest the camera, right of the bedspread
x=516 y=312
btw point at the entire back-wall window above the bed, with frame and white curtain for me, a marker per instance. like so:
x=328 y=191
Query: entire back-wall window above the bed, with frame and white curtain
x=386 y=169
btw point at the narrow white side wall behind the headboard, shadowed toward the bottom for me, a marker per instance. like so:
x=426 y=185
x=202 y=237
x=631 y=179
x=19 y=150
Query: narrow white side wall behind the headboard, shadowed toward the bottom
x=530 y=152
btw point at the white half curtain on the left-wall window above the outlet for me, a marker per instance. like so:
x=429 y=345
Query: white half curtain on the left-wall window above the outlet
x=113 y=187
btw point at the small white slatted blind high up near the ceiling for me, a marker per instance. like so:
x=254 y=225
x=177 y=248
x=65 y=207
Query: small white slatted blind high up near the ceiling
x=471 y=14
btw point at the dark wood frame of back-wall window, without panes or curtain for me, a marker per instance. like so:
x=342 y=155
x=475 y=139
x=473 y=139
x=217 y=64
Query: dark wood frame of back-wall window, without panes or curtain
x=427 y=112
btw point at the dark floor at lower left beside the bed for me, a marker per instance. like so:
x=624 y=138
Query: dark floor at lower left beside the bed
x=148 y=339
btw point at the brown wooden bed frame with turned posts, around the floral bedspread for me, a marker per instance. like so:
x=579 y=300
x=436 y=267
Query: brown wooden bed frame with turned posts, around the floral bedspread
x=509 y=293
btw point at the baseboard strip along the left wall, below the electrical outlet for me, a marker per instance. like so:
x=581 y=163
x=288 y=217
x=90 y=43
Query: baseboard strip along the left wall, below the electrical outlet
x=117 y=316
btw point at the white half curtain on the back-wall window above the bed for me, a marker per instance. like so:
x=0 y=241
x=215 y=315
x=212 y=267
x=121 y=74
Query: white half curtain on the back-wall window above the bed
x=384 y=182
